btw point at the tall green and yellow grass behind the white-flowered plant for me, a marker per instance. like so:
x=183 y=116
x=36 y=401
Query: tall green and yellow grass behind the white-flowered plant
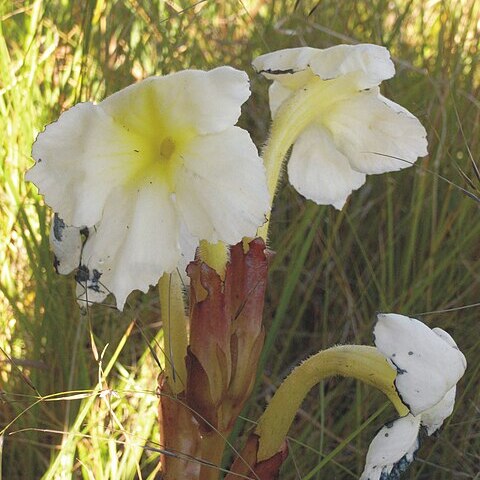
x=406 y=242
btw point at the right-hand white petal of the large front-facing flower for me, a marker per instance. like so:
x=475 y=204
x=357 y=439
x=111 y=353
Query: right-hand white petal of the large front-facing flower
x=221 y=189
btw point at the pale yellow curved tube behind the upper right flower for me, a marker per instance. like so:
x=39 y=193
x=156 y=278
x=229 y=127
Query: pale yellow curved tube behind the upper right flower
x=305 y=107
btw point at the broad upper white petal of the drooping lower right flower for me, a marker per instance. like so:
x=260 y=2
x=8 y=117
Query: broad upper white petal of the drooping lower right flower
x=427 y=365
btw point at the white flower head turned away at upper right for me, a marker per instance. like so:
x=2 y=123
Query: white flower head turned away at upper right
x=347 y=129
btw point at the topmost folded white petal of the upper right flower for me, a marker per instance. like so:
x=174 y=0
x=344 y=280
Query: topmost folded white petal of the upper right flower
x=370 y=63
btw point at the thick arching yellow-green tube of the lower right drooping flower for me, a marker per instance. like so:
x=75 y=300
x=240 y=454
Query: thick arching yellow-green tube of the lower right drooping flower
x=356 y=361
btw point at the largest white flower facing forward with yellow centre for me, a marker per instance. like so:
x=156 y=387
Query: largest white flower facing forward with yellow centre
x=148 y=172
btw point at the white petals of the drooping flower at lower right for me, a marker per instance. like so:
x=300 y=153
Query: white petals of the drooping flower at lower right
x=429 y=365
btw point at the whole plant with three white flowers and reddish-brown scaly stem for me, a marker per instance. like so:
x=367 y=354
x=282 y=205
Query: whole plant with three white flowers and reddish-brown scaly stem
x=156 y=185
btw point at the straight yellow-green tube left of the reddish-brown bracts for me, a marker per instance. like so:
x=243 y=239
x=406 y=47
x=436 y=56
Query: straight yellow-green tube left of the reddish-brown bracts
x=172 y=311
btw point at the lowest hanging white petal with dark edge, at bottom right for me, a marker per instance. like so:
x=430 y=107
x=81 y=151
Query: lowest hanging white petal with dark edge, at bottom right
x=392 y=450
